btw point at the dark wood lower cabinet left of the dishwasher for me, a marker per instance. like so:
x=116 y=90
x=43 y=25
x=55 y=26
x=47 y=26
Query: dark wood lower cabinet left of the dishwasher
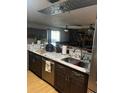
x=35 y=64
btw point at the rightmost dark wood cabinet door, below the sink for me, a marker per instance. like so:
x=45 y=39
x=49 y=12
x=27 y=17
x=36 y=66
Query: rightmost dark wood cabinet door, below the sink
x=78 y=82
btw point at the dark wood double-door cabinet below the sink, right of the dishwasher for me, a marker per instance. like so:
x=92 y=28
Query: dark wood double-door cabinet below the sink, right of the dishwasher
x=68 y=80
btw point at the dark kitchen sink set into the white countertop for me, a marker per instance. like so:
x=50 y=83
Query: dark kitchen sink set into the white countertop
x=74 y=61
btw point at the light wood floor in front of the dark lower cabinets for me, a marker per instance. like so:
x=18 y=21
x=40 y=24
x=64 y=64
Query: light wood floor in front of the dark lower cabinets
x=36 y=85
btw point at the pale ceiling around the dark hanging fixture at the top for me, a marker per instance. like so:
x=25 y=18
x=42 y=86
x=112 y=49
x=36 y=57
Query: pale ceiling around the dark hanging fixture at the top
x=82 y=16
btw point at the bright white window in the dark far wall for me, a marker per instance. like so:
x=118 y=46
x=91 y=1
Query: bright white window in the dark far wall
x=55 y=37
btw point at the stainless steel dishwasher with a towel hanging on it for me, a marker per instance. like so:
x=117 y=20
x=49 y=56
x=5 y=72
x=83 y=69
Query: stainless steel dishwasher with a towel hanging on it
x=48 y=76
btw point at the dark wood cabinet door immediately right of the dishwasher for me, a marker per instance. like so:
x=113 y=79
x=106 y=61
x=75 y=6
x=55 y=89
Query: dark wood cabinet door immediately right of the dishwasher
x=60 y=78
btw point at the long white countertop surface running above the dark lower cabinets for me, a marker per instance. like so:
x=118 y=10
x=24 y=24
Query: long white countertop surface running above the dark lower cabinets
x=57 y=57
